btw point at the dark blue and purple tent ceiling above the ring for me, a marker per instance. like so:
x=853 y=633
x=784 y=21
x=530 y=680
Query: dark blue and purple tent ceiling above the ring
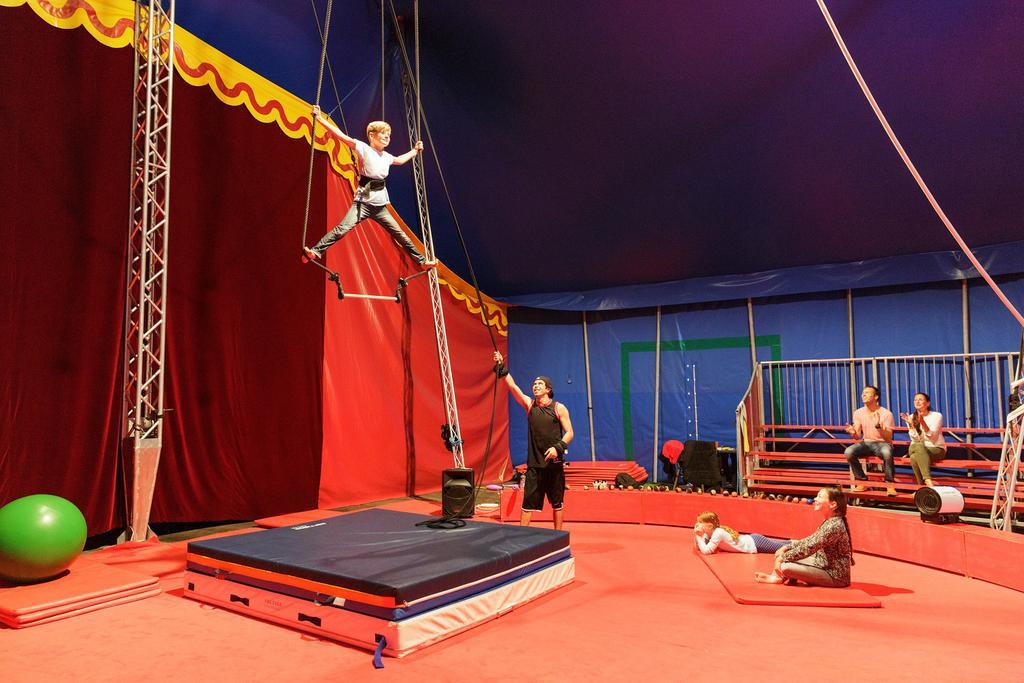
x=593 y=145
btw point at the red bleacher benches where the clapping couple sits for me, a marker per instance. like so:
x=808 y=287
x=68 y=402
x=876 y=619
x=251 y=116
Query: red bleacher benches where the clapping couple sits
x=792 y=459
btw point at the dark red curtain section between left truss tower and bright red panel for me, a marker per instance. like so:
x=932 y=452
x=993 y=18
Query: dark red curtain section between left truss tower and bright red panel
x=245 y=317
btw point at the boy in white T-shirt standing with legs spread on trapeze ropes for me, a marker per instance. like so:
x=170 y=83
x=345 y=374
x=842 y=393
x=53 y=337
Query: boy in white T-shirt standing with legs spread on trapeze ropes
x=371 y=199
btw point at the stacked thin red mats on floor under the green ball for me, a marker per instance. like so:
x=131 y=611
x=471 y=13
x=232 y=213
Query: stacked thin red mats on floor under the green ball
x=88 y=587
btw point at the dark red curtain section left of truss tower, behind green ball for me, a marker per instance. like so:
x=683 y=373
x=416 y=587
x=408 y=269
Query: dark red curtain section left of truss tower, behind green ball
x=65 y=123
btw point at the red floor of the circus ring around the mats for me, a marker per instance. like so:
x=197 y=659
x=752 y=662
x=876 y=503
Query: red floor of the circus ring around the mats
x=644 y=608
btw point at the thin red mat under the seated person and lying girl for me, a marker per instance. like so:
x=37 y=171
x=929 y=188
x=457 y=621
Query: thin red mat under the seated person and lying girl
x=736 y=571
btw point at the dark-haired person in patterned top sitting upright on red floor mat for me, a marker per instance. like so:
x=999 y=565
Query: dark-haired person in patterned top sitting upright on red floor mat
x=825 y=558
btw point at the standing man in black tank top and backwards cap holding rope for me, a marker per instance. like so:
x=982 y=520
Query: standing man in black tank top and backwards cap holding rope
x=548 y=435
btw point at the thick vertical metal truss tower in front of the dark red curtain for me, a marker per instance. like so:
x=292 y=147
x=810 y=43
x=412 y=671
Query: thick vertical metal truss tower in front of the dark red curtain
x=146 y=308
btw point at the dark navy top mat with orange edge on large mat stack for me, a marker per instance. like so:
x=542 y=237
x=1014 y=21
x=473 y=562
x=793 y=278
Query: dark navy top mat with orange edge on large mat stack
x=378 y=558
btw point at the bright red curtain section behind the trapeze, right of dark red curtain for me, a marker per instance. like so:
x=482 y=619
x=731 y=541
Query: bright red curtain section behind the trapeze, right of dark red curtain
x=383 y=405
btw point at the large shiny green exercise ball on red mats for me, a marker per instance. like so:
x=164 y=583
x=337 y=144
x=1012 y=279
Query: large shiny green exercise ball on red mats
x=40 y=537
